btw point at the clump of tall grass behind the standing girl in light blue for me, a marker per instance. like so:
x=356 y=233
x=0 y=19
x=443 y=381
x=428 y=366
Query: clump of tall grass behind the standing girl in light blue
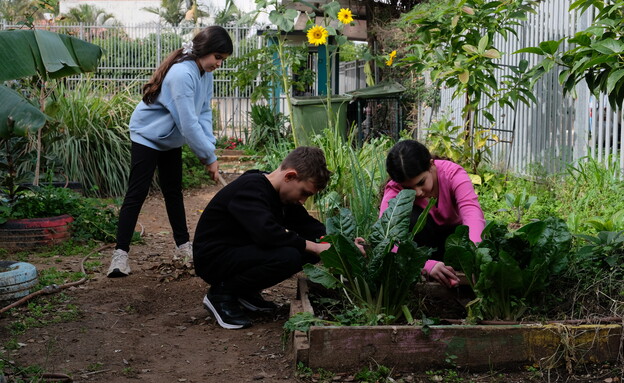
x=89 y=137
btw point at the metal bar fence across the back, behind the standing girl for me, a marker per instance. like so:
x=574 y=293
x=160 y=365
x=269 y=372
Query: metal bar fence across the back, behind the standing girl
x=132 y=53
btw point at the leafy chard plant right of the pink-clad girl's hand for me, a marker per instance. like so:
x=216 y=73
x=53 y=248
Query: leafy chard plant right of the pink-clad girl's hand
x=509 y=270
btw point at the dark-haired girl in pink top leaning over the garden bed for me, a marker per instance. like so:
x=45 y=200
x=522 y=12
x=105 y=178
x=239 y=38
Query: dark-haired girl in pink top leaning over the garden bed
x=411 y=166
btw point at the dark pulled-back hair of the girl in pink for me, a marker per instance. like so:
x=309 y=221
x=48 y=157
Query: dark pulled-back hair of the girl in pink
x=407 y=159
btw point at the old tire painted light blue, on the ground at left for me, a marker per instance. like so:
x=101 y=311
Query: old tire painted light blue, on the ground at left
x=16 y=279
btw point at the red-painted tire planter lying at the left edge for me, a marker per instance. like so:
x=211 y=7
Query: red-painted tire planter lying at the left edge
x=29 y=233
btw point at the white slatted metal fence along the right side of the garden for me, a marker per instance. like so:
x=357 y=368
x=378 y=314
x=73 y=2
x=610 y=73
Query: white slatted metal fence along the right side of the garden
x=557 y=130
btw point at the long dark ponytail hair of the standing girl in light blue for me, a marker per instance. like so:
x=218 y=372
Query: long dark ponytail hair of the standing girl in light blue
x=213 y=39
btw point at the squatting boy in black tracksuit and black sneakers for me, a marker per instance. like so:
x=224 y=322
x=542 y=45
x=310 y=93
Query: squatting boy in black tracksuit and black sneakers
x=255 y=233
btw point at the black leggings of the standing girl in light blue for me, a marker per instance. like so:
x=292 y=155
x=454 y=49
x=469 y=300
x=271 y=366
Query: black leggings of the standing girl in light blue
x=143 y=163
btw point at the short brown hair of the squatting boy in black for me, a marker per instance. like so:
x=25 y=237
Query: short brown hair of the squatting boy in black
x=310 y=164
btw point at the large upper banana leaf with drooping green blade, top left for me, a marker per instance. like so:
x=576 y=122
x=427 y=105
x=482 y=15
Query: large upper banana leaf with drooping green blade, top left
x=25 y=53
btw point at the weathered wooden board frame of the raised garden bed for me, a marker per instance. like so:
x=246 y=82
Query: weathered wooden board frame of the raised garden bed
x=477 y=347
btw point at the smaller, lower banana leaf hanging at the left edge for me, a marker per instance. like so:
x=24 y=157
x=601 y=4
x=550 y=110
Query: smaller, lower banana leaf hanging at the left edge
x=26 y=117
